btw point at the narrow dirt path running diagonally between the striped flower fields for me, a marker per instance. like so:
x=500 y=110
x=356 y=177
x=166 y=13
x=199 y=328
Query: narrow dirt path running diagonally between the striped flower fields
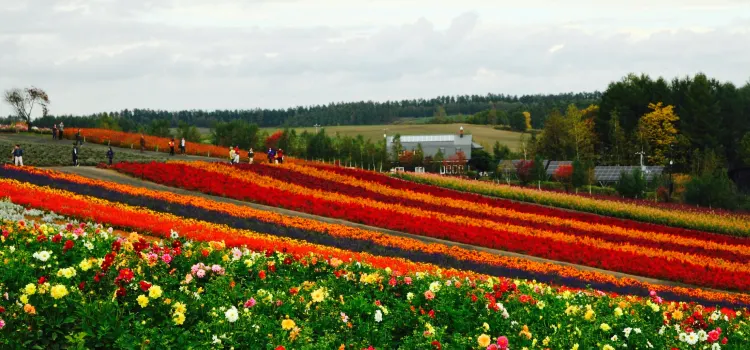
x=113 y=176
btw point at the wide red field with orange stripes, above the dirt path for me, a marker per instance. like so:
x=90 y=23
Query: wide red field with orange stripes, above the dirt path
x=661 y=252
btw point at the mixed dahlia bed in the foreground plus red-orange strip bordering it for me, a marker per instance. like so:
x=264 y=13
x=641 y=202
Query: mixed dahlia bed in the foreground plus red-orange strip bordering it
x=82 y=285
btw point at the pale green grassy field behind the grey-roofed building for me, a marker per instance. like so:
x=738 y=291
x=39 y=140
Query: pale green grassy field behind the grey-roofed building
x=483 y=134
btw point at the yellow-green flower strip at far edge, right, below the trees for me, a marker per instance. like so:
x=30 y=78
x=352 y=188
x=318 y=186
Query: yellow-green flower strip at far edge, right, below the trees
x=679 y=216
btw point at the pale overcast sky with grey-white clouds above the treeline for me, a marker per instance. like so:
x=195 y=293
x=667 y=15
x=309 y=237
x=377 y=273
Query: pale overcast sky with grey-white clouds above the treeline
x=106 y=55
